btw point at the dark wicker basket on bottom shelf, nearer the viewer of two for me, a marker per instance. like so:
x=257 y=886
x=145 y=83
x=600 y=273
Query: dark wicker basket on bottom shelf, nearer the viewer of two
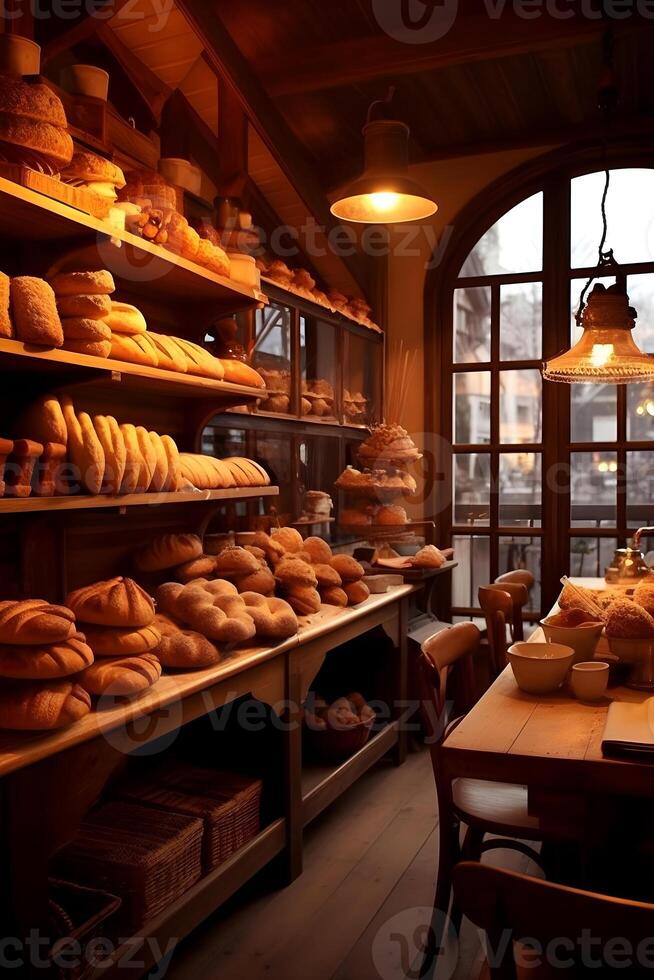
x=150 y=861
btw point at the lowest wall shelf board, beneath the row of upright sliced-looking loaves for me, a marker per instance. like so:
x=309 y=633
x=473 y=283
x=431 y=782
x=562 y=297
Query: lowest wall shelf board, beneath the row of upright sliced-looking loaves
x=32 y=505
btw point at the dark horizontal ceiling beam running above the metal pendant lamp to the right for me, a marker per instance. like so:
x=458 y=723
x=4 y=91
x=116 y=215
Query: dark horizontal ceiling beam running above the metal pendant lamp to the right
x=472 y=38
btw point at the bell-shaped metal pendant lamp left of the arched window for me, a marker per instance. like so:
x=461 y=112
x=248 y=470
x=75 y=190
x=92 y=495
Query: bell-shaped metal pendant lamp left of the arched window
x=385 y=194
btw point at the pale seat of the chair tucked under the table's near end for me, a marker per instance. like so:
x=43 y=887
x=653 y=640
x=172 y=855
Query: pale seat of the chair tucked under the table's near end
x=498 y=808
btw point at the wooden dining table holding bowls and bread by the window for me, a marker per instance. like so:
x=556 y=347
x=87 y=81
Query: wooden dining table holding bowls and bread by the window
x=553 y=745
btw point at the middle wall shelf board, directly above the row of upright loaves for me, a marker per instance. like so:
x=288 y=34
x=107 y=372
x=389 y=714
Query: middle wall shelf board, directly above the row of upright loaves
x=26 y=357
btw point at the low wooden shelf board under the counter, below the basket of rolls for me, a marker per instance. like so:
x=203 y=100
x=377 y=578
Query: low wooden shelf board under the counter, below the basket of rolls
x=322 y=785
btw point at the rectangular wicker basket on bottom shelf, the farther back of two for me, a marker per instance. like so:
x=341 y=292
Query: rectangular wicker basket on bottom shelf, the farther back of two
x=228 y=804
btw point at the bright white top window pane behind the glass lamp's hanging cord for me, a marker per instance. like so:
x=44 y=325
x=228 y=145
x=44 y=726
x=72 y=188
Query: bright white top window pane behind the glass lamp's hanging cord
x=630 y=210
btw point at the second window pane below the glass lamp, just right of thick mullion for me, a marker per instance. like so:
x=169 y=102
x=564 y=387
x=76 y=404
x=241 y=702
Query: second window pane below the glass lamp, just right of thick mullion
x=593 y=489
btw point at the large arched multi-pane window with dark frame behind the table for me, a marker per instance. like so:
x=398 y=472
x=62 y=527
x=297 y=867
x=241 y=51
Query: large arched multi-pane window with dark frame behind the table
x=546 y=477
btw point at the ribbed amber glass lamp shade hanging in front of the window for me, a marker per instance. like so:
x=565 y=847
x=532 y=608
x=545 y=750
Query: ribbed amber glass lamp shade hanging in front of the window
x=606 y=352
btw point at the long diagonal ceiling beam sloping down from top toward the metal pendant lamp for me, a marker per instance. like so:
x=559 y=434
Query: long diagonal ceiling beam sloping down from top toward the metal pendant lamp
x=233 y=68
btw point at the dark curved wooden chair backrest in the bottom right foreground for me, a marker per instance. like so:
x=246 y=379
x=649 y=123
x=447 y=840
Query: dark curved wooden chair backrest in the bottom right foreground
x=574 y=929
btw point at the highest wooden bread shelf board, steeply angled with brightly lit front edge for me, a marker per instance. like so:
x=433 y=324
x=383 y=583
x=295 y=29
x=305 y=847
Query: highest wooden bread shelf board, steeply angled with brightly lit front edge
x=26 y=215
